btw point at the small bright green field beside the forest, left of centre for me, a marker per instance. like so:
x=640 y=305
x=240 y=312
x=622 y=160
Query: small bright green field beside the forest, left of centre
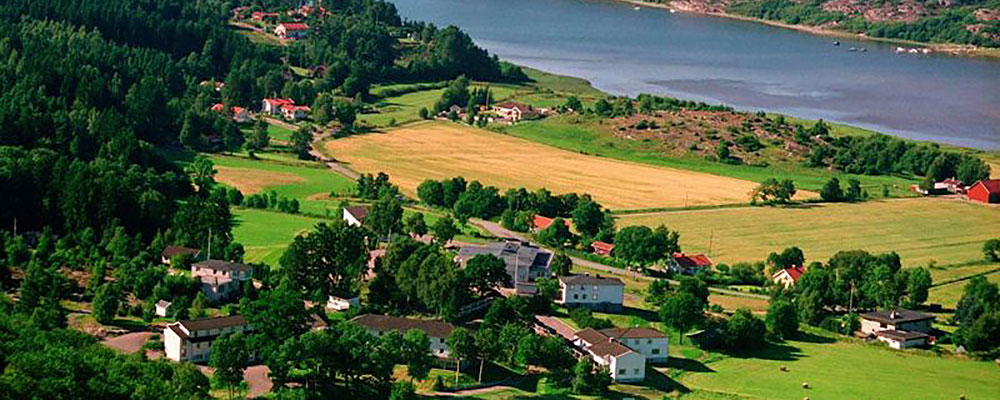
x=266 y=234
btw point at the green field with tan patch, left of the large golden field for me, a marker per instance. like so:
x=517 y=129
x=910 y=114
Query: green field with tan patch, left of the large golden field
x=309 y=183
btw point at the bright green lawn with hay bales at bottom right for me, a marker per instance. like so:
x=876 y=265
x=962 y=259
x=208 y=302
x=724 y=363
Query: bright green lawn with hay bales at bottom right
x=842 y=370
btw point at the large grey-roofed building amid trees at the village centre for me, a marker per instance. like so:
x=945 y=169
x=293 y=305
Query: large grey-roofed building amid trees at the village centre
x=525 y=263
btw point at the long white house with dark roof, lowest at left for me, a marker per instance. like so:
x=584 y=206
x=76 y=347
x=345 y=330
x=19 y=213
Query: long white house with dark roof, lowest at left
x=192 y=340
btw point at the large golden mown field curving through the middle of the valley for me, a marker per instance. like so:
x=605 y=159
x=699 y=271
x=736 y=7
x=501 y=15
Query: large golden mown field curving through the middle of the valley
x=441 y=150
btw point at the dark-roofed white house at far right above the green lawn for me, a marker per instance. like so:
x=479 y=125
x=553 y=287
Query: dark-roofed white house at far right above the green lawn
x=898 y=328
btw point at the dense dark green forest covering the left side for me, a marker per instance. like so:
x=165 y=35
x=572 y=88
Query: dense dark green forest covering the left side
x=94 y=91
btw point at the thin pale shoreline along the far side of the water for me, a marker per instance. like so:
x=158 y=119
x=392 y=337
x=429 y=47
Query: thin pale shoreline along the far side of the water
x=942 y=48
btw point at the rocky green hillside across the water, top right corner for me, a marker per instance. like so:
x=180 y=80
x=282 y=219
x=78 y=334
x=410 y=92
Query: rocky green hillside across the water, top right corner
x=968 y=22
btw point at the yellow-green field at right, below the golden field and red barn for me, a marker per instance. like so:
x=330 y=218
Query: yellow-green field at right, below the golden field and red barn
x=921 y=230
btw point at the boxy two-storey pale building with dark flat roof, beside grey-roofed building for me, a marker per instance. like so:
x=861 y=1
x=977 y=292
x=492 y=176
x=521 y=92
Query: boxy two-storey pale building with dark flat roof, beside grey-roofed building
x=594 y=292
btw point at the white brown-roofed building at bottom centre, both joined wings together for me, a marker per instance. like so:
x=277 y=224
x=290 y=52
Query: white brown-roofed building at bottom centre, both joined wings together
x=624 y=363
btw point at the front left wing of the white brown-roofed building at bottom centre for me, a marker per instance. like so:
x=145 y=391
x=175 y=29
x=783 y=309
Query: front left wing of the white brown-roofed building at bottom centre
x=623 y=363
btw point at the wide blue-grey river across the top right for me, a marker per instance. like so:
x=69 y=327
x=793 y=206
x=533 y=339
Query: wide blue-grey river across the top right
x=750 y=66
